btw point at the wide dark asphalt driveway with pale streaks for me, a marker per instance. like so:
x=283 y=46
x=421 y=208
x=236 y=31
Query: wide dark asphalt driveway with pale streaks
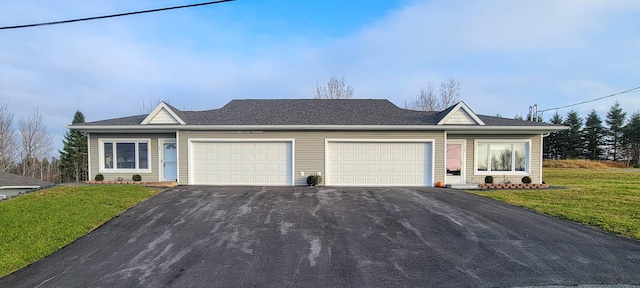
x=198 y=236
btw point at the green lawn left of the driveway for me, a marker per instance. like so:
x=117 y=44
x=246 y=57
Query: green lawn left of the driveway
x=35 y=225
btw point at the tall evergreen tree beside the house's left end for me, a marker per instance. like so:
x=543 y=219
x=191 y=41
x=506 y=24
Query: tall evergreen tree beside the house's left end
x=73 y=157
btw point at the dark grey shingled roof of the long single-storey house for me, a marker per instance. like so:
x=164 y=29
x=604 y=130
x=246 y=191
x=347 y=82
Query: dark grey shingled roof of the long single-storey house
x=310 y=112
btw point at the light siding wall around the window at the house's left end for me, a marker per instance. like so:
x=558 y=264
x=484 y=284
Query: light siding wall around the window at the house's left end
x=152 y=176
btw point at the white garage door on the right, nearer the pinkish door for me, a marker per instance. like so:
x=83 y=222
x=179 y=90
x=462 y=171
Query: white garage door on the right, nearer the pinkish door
x=380 y=163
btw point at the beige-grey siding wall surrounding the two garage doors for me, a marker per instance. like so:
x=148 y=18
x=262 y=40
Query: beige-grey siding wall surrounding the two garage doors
x=309 y=147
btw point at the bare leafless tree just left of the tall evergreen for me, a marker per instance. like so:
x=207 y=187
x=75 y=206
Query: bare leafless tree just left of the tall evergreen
x=35 y=143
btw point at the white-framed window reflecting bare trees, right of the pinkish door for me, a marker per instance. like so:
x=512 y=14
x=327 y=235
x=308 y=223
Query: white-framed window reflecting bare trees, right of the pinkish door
x=502 y=156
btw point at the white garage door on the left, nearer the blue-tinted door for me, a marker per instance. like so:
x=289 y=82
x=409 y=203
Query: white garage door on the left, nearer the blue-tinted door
x=241 y=163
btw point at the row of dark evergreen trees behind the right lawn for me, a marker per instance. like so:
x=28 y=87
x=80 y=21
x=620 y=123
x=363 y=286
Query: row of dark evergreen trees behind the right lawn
x=617 y=138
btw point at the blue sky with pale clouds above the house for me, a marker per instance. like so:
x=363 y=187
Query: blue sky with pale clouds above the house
x=507 y=54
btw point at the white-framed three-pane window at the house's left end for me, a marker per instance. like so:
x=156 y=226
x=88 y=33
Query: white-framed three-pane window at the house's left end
x=124 y=155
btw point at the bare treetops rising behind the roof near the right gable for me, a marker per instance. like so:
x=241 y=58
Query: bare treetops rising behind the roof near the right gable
x=427 y=100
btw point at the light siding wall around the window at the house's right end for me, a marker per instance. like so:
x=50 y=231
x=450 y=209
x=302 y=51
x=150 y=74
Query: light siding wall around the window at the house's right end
x=534 y=162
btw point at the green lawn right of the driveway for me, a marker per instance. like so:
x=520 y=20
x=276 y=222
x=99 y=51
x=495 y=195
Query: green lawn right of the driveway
x=608 y=198
